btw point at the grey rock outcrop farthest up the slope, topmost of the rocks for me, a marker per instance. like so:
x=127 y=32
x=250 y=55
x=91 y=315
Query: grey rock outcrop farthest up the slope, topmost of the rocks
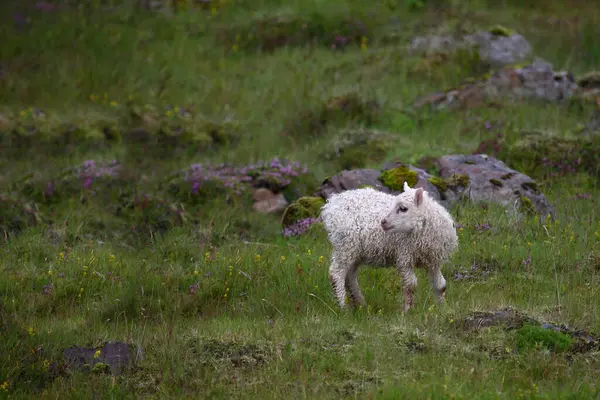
x=497 y=47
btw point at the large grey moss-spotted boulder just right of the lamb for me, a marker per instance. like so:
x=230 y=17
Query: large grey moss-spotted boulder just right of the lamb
x=491 y=180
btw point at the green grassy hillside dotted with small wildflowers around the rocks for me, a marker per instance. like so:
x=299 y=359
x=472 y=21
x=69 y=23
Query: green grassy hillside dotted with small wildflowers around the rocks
x=214 y=301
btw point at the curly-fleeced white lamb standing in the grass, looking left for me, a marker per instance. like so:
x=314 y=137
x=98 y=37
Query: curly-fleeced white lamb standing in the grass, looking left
x=376 y=229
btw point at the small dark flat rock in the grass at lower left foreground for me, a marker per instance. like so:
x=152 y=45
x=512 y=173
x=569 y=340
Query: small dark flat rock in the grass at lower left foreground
x=114 y=356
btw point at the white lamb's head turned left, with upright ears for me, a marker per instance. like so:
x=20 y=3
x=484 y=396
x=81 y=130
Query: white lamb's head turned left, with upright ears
x=407 y=213
